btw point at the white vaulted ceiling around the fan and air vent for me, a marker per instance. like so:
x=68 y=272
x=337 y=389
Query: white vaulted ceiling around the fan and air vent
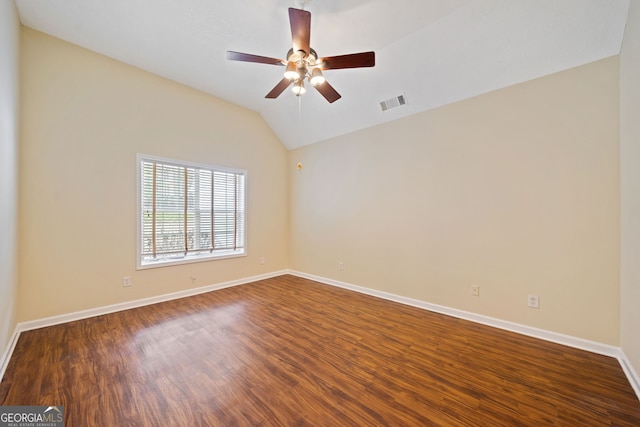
x=433 y=51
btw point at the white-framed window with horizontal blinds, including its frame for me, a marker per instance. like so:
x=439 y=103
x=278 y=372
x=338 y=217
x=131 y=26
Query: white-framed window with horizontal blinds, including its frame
x=188 y=212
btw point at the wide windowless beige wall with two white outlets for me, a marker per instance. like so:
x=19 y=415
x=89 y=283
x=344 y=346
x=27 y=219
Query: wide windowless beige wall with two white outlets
x=516 y=191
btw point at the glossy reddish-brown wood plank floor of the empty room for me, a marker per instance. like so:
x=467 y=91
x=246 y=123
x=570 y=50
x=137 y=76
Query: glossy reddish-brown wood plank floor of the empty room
x=289 y=351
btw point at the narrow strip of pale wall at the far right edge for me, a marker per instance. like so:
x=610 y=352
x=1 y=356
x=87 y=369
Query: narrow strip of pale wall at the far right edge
x=630 y=186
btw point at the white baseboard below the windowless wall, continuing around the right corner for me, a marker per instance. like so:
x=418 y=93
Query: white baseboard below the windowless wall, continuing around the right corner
x=570 y=341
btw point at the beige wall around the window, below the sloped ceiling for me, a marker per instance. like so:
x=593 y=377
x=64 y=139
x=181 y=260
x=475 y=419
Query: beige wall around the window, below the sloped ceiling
x=84 y=118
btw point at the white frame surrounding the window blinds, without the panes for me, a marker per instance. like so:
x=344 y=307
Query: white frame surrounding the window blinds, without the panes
x=188 y=258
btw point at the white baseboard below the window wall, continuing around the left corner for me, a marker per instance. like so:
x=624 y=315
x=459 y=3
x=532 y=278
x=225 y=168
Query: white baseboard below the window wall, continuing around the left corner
x=98 y=311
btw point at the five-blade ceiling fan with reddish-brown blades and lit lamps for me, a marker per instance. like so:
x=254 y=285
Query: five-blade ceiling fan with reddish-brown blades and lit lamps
x=303 y=62
